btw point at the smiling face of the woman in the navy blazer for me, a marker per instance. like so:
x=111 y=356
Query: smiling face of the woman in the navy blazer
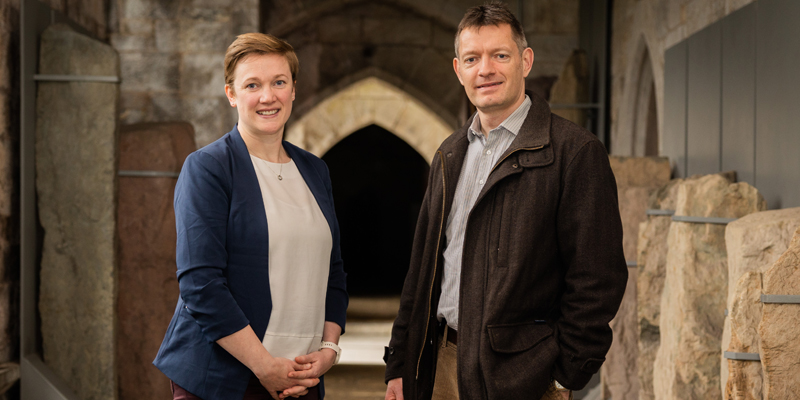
x=262 y=93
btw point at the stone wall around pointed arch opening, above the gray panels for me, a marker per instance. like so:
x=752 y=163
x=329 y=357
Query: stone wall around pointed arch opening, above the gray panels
x=646 y=28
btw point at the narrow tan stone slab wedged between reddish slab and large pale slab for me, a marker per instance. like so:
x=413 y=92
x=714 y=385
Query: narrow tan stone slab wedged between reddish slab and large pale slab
x=651 y=262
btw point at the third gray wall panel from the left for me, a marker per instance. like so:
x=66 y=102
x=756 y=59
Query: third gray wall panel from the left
x=738 y=93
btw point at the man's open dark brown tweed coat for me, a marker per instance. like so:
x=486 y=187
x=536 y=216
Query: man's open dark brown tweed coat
x=543 y=270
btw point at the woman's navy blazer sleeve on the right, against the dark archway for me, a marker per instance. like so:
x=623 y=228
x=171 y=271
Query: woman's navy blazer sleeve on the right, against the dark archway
x=336 y=299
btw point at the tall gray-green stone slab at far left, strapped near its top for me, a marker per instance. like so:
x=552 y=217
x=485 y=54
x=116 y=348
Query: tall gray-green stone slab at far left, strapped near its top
x=76 y=149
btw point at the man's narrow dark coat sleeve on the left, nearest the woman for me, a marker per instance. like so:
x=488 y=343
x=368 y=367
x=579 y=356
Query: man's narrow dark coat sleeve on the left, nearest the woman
x=395 y=355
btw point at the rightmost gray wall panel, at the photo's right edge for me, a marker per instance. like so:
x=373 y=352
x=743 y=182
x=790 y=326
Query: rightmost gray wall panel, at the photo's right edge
x=778 y=102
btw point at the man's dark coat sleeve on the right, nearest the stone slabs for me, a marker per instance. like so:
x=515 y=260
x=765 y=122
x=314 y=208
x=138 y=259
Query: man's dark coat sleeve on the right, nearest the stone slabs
x=590 y=245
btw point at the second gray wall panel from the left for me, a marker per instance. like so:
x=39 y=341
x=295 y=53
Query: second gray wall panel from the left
x=704 y=101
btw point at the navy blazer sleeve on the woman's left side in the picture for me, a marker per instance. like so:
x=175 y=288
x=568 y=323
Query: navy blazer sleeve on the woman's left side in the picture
x=202 y=202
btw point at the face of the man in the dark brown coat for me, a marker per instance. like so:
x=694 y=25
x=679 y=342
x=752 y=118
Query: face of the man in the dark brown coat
x=491 y=68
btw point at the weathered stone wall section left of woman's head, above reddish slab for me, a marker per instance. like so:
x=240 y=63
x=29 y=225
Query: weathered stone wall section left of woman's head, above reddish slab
x=171 y=53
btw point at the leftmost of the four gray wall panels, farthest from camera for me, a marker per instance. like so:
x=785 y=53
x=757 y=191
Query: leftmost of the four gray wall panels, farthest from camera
x=673 y=142
